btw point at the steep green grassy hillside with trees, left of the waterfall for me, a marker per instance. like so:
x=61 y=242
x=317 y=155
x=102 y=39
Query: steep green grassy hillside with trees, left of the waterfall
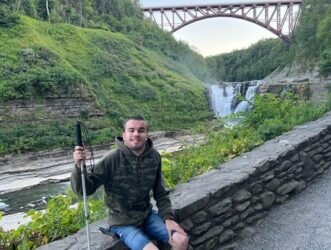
x=120 y=65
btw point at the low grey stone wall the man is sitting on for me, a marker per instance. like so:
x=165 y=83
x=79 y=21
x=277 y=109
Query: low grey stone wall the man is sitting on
x=225 y=203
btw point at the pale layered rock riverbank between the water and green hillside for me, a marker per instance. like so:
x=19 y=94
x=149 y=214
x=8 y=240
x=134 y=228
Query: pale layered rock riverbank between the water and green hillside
x=23 y=171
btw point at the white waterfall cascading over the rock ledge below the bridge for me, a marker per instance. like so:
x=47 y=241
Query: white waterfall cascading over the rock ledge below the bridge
x=224 y=97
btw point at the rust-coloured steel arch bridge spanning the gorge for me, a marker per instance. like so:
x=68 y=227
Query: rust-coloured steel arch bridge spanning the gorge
x=280 y=17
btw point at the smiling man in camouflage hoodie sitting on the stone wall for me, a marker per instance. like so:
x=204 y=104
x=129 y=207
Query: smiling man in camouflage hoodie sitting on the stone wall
x=128 y=174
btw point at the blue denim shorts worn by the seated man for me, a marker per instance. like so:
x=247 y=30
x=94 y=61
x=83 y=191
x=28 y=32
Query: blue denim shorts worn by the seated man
x=136 y=238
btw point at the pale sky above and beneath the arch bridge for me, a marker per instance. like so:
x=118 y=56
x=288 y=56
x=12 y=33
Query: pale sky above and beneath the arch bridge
x=213 y=36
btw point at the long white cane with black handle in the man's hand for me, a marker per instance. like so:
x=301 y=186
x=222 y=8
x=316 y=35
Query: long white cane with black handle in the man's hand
x=83 y=175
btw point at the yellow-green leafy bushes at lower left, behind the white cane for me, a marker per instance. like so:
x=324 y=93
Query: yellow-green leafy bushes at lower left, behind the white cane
x=59 y=220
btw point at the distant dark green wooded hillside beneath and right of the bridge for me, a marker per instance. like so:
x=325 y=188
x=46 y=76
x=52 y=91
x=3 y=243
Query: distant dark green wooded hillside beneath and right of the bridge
x=311 y=48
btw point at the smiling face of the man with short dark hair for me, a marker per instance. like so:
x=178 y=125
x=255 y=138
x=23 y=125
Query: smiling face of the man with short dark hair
x=135 y=134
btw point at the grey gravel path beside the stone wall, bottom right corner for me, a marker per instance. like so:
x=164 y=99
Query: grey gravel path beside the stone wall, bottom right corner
x=302 y=223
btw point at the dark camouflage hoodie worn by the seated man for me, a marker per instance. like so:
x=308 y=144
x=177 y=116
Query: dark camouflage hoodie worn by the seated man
x=127 y=181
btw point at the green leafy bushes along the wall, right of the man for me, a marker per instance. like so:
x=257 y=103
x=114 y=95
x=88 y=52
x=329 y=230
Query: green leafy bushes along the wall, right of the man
x=271 y=116
